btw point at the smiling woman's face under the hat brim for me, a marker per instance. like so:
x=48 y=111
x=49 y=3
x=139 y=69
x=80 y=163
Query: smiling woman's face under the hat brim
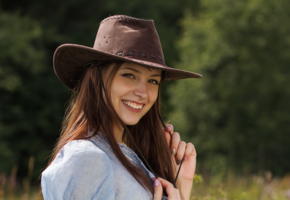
x=134 y=89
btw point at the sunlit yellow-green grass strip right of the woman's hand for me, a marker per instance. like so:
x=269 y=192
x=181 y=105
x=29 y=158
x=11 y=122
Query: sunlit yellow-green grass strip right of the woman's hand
x=241 y=188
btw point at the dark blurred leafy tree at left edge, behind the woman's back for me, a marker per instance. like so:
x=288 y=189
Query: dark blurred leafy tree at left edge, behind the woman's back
x=29 y=104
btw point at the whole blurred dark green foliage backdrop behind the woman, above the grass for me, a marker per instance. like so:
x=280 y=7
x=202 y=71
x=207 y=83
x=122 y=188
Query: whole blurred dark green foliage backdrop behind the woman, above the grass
x=236 y=115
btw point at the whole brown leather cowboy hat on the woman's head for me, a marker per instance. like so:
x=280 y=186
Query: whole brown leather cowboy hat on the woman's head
x=119 y=37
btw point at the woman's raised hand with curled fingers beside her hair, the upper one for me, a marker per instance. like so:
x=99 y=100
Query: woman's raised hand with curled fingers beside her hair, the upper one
x=181 y=151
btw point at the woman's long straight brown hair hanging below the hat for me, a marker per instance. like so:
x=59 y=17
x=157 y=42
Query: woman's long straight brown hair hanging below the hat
x=91 y=109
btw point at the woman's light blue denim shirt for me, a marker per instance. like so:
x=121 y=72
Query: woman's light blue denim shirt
x=89 y=170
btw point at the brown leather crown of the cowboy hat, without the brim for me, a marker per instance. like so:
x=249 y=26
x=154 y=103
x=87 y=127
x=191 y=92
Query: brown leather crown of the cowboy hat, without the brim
x=126 y=36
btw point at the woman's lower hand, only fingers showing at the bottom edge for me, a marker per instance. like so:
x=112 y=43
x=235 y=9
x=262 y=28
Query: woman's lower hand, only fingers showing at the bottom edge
x=161 y=184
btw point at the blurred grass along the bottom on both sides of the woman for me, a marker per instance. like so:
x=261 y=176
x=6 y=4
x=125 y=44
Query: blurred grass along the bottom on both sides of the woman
x=212 y=188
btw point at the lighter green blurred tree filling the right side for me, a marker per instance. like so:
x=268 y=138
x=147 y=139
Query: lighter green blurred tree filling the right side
x=238 y=114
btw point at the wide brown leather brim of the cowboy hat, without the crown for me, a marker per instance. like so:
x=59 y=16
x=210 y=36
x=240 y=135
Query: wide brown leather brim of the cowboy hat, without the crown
x=69 y=61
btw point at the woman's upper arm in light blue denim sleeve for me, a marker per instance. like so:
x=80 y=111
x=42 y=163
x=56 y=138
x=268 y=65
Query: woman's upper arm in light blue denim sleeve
x=80 y=171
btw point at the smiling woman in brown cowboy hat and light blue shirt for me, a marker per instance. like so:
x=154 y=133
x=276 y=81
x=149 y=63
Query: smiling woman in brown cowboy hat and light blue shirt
x=114 y=144
